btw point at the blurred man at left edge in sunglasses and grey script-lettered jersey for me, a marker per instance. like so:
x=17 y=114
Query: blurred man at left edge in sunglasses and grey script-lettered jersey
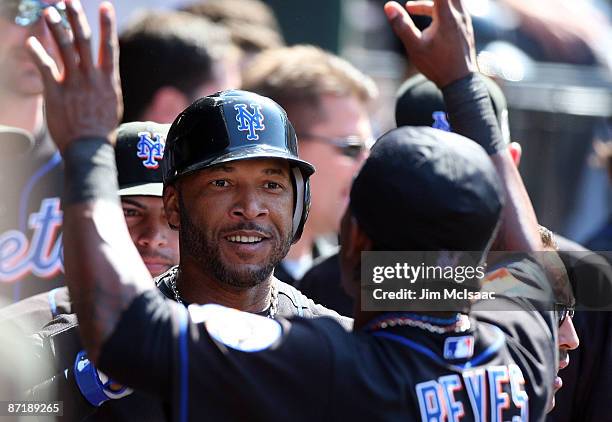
x=30 y=213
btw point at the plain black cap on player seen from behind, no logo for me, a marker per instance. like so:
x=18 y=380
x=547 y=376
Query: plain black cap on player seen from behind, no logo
x=423 y=189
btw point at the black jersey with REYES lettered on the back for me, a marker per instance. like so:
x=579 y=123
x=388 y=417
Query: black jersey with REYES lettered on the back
x=220 y=364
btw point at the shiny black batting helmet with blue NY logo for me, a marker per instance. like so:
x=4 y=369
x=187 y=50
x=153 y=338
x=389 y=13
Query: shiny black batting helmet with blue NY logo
x=231 y=126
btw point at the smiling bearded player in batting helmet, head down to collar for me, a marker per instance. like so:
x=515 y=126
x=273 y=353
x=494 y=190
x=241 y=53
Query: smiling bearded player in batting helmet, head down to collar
x=239 y=196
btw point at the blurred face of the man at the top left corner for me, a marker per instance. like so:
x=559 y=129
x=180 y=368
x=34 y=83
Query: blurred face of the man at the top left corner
x=18 y=74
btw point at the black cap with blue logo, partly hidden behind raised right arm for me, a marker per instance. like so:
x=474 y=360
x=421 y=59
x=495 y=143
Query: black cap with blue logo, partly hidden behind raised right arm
x=421 y=103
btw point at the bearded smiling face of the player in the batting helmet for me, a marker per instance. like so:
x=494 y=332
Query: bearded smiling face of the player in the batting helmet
x=236 y=219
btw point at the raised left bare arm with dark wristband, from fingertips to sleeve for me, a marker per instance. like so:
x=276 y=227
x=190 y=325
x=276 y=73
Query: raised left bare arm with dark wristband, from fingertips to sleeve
x=83 y=104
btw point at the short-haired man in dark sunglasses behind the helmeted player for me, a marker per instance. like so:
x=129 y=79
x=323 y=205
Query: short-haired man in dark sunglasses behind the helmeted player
x=326 y=99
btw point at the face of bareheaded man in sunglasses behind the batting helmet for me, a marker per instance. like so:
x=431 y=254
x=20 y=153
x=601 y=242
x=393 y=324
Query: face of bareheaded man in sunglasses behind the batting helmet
x=330 y=185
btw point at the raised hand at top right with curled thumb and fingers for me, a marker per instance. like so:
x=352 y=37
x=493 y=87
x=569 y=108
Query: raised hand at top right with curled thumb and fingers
x=445 y=51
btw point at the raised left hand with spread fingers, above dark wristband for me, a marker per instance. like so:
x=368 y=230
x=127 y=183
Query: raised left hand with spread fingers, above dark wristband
x=84 y=99
